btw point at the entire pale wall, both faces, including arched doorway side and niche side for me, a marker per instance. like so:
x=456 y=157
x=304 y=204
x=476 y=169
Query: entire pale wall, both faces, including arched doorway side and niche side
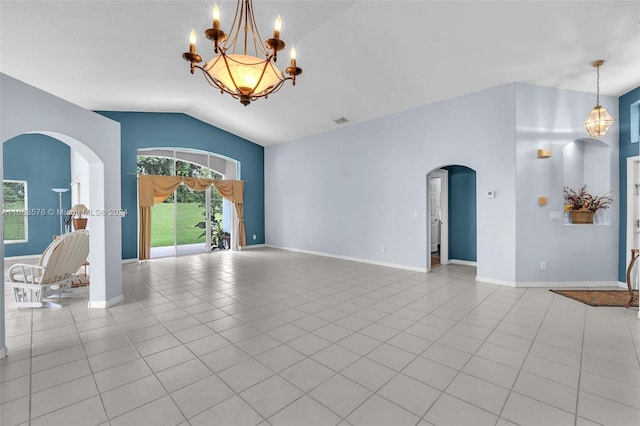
x=353 y=191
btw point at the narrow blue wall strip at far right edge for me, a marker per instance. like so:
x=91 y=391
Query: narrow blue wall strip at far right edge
x=628 y=148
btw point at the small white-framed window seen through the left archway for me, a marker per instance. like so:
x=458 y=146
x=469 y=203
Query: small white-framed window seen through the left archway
x=15 y=211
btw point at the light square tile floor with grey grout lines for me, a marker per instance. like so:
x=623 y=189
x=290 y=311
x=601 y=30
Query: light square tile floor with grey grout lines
x=272 y=337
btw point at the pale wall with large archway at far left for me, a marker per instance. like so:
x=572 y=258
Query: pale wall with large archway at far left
x=25 y=109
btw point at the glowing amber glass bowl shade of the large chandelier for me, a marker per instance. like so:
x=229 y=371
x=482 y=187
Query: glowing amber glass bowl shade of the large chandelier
x=244 y=74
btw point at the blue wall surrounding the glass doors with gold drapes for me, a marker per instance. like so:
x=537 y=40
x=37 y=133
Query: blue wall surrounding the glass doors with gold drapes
x=174 y=130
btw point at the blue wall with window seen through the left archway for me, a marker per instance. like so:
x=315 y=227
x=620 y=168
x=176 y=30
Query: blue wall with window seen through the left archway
x=45 y=163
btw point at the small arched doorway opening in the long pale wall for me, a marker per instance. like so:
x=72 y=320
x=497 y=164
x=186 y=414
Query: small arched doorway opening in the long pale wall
x=451 y=216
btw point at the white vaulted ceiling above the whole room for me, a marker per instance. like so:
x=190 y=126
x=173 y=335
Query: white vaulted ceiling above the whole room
x=361 y=59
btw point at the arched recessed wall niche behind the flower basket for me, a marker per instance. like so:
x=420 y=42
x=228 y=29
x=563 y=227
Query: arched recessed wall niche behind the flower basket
x=587 y=161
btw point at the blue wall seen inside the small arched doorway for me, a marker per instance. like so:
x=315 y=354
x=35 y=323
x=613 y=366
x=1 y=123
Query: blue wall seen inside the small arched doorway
x=463 y=235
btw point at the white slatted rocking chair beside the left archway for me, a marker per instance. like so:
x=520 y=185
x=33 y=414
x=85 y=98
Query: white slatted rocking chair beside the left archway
x=53 y=274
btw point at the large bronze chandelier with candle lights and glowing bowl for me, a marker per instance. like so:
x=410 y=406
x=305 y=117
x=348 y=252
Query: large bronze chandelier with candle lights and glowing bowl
x=234 y=71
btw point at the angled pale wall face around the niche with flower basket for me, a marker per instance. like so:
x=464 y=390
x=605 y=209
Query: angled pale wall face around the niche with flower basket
x=548 y=118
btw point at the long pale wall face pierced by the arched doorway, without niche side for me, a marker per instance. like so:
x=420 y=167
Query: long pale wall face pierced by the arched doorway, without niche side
x=355 y=190
